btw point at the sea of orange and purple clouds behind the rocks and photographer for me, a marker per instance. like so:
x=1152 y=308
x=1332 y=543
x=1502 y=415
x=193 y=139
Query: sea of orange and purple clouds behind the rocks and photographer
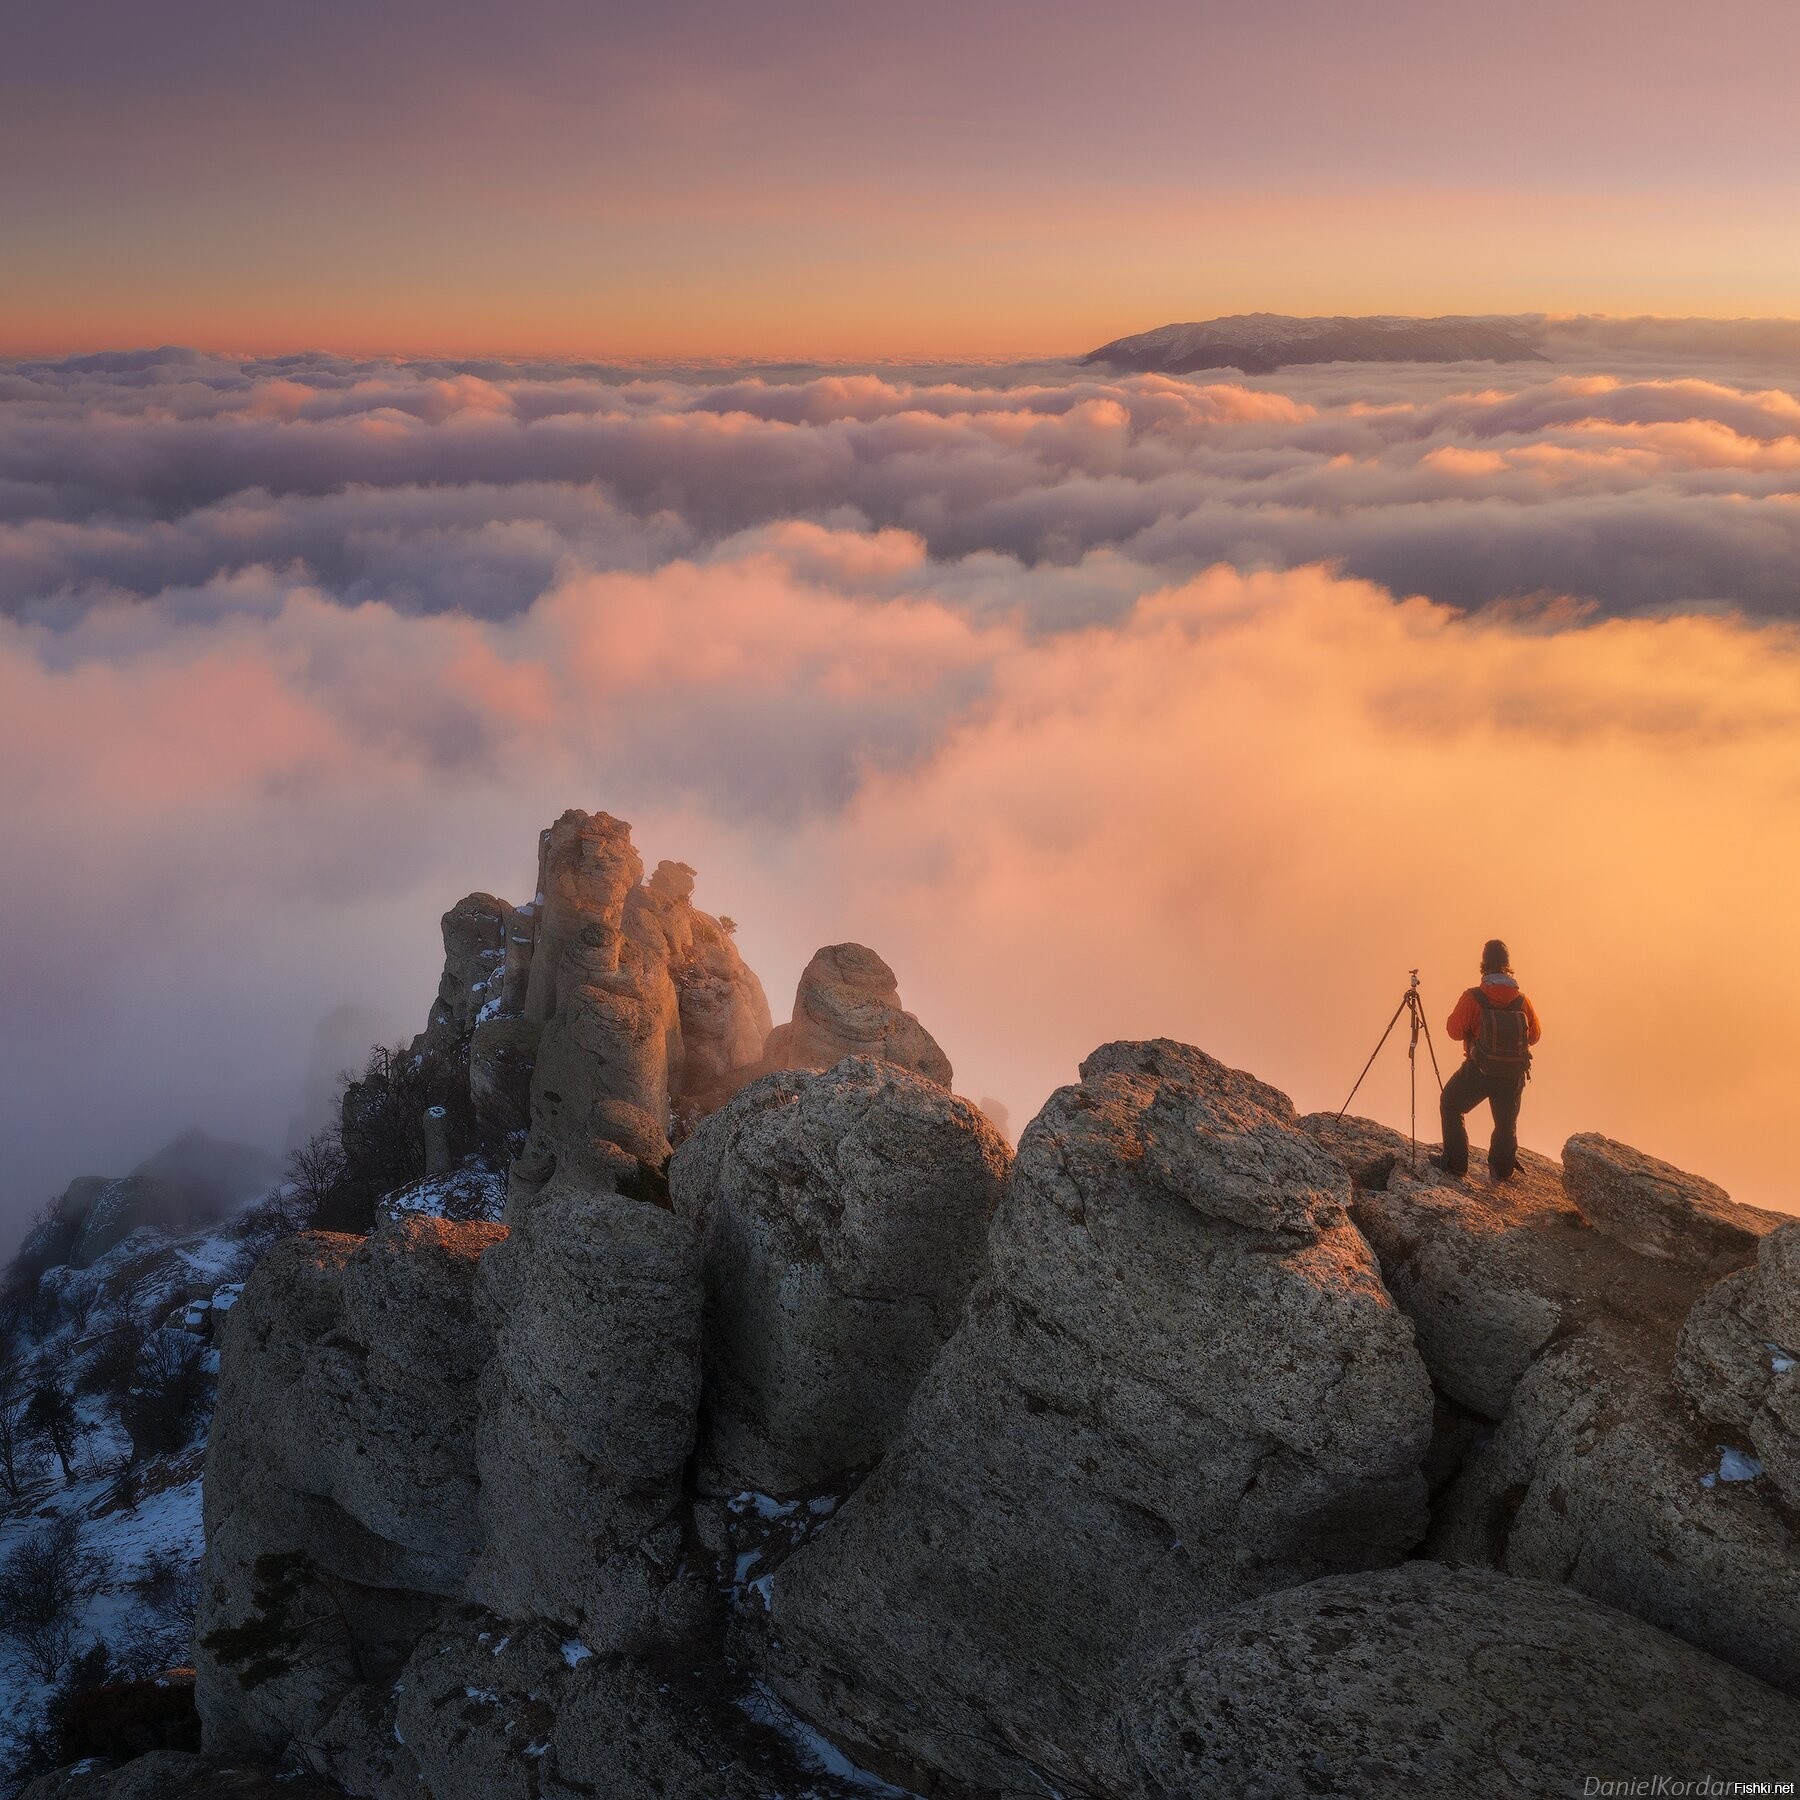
x=1099 y=705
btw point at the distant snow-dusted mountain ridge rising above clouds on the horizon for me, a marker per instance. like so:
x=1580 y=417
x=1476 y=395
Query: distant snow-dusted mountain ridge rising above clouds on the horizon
x=1264 y=343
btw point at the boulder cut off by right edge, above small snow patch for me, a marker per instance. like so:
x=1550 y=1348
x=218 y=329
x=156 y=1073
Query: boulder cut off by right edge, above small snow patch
x=1740 y=1358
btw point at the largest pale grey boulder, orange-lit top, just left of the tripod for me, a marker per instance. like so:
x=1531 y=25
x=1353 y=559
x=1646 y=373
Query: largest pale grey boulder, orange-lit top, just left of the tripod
x=1182 y=1385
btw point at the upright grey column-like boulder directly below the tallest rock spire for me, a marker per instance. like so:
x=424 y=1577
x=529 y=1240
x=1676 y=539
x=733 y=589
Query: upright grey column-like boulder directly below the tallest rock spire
x=589 y=1416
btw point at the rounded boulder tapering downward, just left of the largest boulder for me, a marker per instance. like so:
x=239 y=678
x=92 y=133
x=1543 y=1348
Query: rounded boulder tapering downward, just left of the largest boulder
x=843 y=1221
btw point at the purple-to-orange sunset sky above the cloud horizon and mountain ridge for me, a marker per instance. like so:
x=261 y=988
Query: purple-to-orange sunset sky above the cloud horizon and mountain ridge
x=841 y=181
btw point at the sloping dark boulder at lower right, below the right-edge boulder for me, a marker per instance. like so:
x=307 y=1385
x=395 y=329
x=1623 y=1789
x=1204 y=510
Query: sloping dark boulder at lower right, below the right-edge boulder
x=1601 y=1479
